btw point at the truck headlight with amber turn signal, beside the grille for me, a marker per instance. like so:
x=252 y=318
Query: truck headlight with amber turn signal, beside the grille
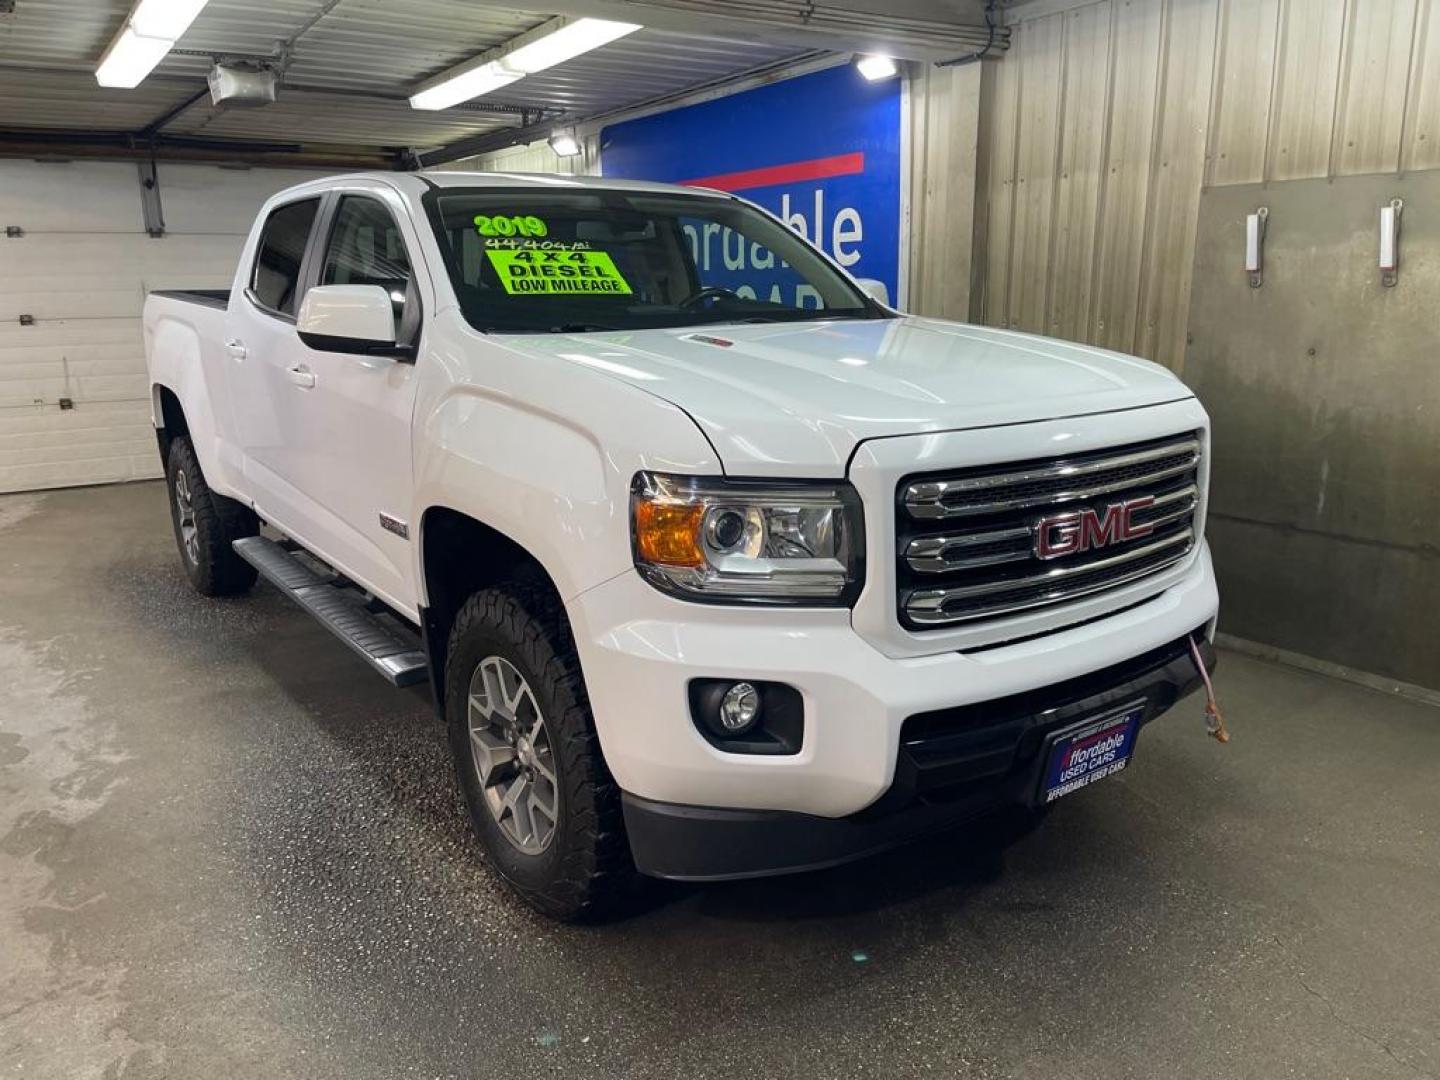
x=742 y=542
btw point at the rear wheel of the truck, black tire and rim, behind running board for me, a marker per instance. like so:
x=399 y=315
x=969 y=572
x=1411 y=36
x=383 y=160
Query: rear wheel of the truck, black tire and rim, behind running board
x=207 y=525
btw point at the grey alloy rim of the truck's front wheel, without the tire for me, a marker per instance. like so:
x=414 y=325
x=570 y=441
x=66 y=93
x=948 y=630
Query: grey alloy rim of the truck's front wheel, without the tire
x=513 y=757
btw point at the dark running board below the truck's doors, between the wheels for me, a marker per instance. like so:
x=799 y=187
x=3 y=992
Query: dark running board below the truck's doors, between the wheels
x=391 y=652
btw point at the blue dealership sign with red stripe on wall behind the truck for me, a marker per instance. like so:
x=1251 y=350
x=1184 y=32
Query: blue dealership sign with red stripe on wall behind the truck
x=822 y=152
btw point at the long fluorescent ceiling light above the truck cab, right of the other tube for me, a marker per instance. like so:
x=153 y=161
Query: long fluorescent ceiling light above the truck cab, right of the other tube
x=555 y=42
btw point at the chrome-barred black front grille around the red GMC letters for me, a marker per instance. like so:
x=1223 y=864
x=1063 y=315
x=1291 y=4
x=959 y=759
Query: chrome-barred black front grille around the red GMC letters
x=967 y=538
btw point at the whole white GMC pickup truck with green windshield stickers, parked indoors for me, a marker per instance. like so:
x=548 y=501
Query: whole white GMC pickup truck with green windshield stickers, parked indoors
x=716 y=565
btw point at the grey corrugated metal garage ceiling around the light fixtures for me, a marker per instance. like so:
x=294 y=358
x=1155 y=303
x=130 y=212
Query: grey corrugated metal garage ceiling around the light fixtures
x=348 y=68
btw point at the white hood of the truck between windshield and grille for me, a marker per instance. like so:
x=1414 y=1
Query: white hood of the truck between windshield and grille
x=797 y=398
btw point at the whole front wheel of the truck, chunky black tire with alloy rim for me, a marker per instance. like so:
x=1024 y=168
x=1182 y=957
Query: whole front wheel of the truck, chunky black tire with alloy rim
x=539 y=793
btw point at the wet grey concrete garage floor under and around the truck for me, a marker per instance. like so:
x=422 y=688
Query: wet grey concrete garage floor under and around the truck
x=228 y=850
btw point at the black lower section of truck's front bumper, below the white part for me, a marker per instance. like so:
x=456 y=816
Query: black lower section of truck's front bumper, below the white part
x=954 y=765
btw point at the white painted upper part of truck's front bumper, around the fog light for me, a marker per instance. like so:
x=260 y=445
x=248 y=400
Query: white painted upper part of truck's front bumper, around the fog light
x=640 y=652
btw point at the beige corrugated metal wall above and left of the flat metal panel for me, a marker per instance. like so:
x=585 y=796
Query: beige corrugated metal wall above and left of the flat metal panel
x=1107 y=119
